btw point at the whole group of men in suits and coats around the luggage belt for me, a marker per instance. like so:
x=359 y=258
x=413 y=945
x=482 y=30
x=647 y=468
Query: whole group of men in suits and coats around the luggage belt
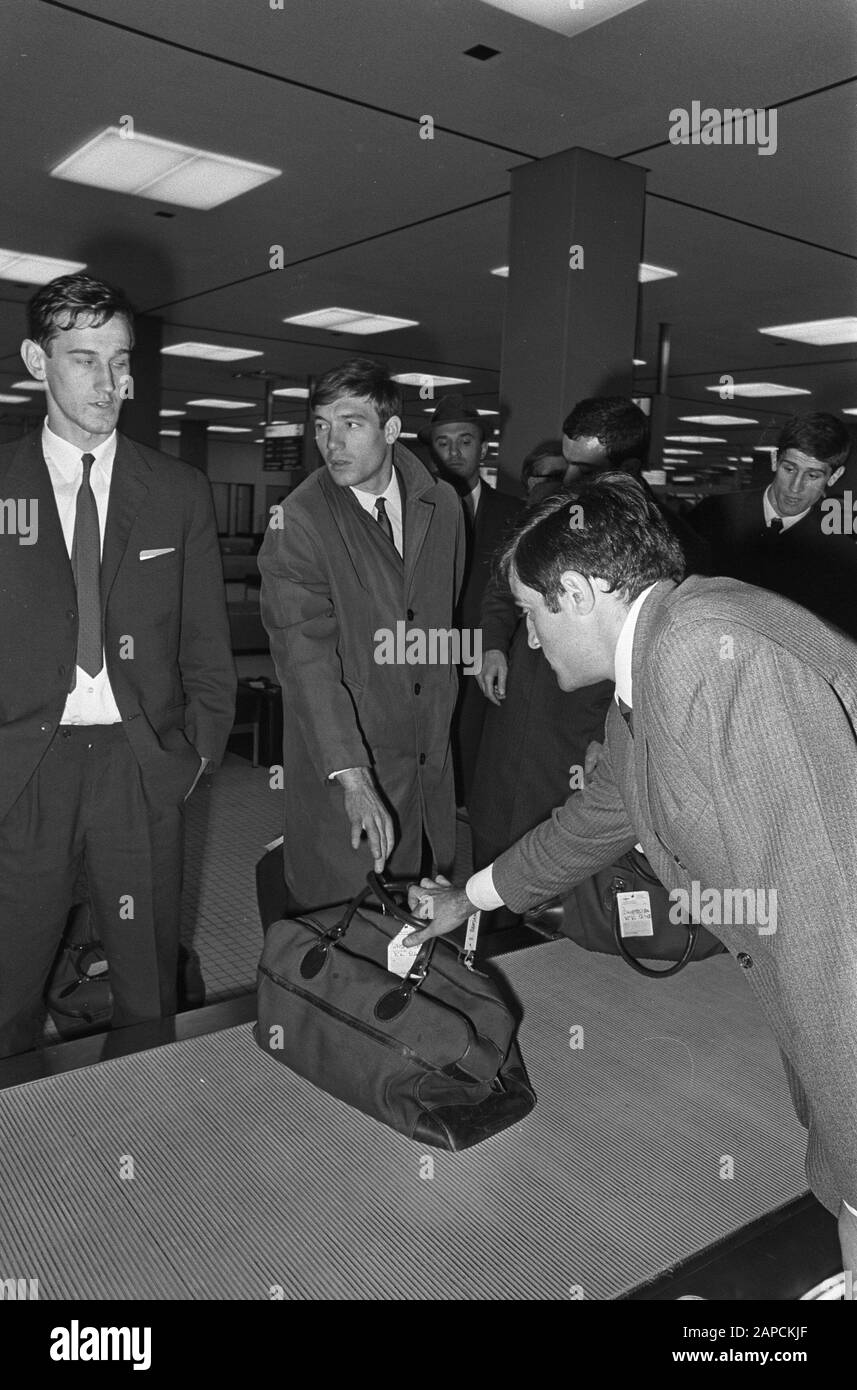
x=602 y=647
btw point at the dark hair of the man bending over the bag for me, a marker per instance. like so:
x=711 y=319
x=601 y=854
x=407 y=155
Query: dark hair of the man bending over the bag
x=609 y=530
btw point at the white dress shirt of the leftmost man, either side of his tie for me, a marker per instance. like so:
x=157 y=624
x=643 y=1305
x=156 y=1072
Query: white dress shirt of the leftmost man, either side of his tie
x=92 y=700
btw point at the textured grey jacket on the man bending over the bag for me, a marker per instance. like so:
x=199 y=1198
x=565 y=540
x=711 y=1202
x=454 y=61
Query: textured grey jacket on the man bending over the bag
x=742 y=774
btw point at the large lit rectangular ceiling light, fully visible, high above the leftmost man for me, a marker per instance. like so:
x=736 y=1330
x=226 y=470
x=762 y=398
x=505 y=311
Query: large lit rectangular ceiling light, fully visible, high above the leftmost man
x=162 y=170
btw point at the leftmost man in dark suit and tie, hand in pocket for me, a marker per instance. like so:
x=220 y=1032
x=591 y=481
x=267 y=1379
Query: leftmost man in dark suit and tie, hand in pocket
x=116 y=676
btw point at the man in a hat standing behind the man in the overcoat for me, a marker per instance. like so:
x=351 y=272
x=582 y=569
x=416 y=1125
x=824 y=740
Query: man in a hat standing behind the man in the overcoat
x=458 y=439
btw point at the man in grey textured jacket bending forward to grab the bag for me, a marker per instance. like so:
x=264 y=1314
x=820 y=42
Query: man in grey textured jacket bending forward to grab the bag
x=731 y=755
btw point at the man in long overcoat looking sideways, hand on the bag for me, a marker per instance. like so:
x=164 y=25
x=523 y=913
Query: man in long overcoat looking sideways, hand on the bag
x=362 y=566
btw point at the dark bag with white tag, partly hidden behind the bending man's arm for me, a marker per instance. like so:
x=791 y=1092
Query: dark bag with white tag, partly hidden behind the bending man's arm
x=591 y=917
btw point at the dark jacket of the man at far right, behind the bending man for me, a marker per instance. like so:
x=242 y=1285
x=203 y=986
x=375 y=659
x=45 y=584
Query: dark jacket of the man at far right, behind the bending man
x=805 y=565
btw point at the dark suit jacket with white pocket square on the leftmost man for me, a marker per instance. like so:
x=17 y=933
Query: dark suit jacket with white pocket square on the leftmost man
x=166 y=632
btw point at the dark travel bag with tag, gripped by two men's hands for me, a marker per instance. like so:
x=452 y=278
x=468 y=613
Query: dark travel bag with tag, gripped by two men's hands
x=433 y=1056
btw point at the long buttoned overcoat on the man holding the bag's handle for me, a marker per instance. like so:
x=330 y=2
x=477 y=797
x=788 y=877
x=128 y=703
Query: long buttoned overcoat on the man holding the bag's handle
x=333 y=584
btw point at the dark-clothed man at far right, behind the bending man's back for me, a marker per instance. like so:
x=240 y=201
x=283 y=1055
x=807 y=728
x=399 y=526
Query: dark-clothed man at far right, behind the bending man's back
x=780 y=539
